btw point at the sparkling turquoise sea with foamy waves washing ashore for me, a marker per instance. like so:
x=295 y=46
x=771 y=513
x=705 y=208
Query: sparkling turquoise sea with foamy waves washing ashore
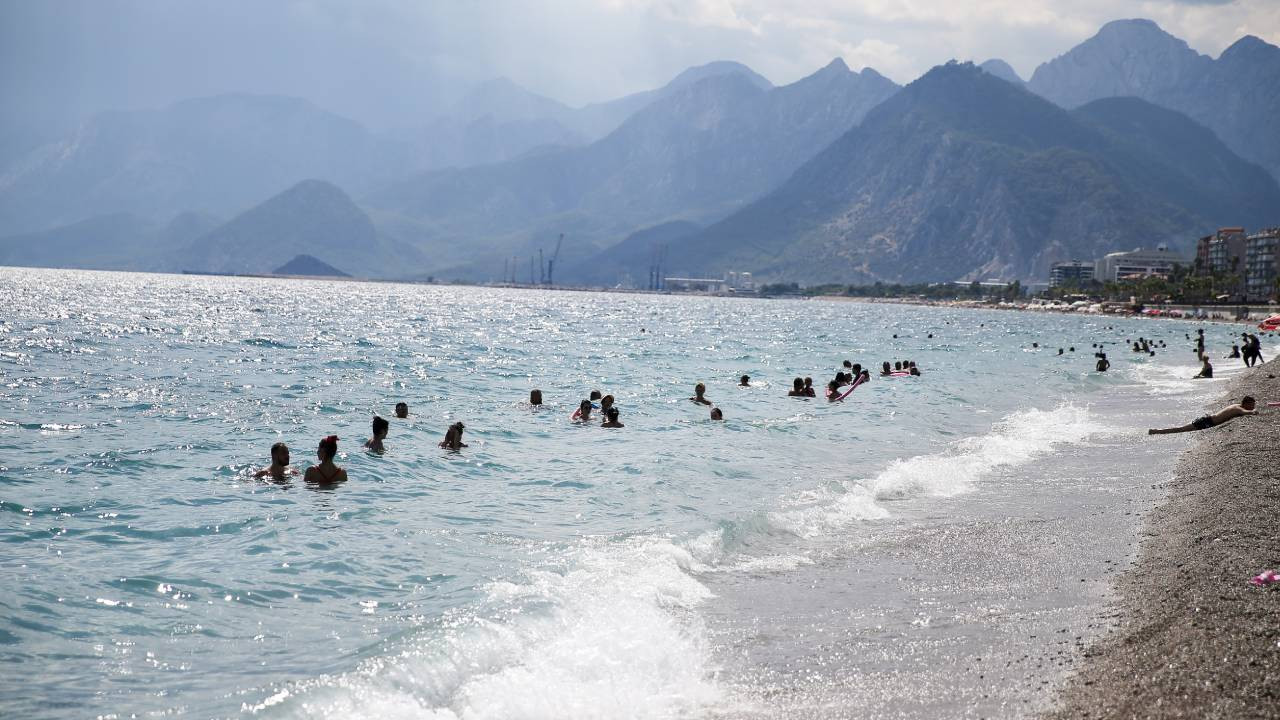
x=935 y=546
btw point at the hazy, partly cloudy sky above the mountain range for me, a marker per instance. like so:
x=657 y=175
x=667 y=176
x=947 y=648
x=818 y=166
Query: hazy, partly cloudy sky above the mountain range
x=382 y=61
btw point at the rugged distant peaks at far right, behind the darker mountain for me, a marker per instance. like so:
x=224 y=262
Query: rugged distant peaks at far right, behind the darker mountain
x=1237 y=95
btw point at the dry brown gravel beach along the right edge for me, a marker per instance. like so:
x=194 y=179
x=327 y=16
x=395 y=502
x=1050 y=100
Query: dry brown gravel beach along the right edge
x=1194 y=639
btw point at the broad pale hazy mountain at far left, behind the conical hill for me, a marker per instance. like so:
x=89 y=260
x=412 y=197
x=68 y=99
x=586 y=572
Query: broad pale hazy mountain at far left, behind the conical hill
x=216 y=154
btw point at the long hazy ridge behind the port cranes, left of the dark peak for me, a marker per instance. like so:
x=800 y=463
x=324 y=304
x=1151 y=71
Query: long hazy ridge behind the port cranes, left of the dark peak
x=697 y=154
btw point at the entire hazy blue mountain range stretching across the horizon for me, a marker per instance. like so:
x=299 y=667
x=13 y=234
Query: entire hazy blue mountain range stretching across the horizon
x=1130 y=139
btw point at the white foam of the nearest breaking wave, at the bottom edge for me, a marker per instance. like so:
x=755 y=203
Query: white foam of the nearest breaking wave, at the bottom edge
x=610 y=636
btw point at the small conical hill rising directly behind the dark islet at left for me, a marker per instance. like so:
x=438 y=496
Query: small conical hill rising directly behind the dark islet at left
x=310 y=218
